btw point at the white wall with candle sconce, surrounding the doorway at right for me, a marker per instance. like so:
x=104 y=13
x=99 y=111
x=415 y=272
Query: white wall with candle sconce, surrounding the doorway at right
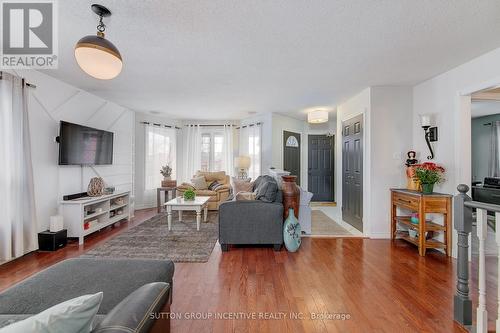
x=441 y=96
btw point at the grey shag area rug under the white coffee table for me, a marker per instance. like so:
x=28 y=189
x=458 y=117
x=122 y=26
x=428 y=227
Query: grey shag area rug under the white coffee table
x=152 y=240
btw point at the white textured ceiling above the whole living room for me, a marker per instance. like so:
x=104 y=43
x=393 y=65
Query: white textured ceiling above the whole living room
x=220 y=59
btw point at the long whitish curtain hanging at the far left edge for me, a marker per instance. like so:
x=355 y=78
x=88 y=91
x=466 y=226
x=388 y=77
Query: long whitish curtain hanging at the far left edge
x=18 y=225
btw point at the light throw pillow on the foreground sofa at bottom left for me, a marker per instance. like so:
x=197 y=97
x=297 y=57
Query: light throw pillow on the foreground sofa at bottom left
x=73 y=316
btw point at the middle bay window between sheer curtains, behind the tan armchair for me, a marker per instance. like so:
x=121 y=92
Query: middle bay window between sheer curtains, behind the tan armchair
x=212 y=151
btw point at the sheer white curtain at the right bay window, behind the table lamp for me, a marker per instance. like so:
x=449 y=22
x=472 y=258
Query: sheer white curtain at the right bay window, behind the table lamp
x=251 y=145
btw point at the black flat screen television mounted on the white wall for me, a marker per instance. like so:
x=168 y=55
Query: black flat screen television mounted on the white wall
x=82 y=145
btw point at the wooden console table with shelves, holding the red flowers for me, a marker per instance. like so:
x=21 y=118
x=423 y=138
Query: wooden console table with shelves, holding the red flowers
x=422 y=204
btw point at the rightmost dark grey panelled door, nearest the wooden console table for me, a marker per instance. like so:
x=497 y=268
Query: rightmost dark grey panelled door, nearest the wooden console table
x=352 y=172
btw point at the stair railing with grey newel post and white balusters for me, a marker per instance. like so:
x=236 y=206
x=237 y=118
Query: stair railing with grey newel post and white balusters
x=462 y=308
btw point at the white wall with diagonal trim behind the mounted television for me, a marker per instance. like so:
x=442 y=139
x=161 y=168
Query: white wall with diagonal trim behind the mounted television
x=52 y=101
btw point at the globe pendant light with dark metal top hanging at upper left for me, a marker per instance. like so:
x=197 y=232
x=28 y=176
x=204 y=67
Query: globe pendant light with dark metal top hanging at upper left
x=97 y=56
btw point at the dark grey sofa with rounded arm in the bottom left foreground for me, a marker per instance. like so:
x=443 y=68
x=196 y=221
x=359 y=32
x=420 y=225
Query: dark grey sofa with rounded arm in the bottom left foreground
x=132 y=290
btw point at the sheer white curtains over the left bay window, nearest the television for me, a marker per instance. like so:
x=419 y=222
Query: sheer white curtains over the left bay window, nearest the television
x=160 y=149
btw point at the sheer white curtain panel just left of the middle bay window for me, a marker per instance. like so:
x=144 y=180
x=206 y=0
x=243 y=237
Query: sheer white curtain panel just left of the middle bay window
x=191 y=146
